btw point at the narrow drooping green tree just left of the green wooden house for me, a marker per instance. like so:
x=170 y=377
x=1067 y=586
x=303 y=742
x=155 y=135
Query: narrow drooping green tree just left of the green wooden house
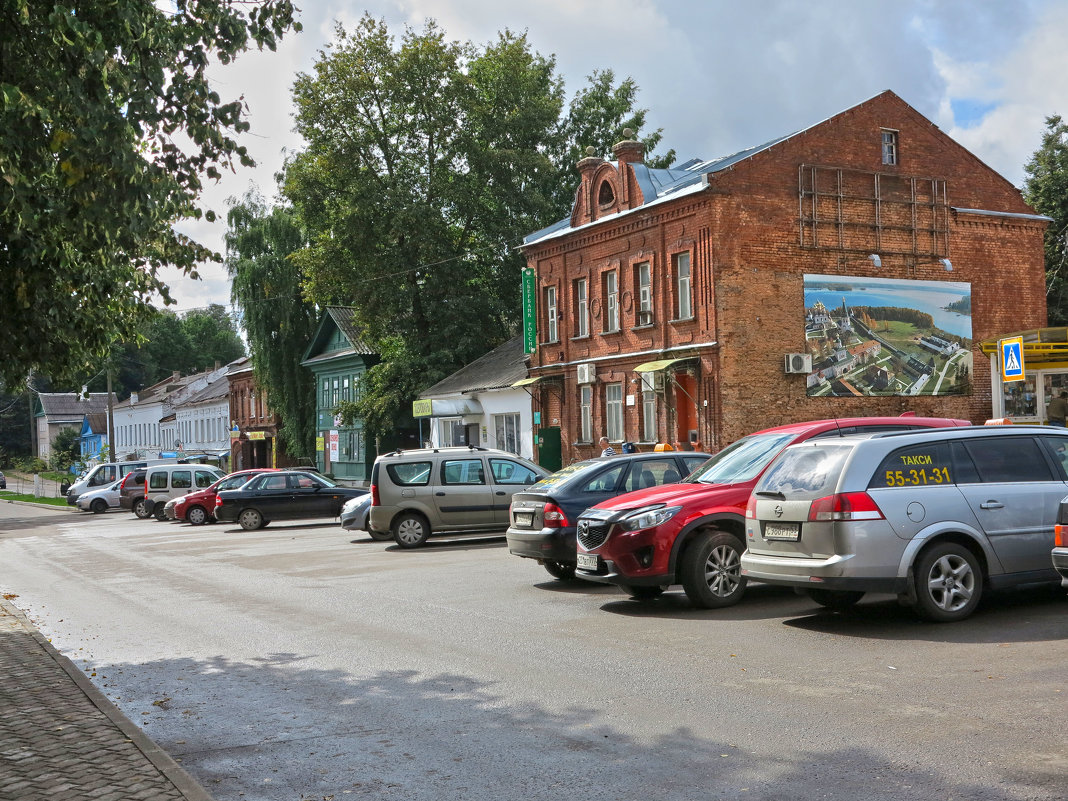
x=278 y=321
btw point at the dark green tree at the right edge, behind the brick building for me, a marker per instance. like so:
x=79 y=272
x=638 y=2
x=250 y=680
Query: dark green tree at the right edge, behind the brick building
x=1046 y=190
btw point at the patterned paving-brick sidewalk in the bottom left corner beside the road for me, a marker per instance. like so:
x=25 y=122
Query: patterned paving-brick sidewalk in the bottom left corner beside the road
x=60 y=737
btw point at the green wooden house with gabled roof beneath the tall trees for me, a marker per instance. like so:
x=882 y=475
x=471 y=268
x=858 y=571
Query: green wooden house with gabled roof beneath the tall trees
x=339 y=358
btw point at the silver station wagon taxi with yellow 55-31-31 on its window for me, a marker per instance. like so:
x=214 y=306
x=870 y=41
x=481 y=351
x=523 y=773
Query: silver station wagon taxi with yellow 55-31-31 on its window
x=935 y=517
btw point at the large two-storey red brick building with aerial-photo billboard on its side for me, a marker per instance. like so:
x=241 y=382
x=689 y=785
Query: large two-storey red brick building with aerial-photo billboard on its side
x=671 y=301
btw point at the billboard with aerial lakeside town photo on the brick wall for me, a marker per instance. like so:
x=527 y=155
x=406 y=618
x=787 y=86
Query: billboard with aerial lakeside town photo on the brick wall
x=888 y=337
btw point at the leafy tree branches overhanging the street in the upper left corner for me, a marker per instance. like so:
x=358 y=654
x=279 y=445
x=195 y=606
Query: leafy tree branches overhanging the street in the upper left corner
x=108 y=128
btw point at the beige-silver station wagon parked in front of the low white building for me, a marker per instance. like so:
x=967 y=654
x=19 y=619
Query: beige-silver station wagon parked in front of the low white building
x=415 y=494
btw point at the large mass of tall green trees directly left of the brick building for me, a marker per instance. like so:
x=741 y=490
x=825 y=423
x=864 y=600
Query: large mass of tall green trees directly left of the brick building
x=427 y=163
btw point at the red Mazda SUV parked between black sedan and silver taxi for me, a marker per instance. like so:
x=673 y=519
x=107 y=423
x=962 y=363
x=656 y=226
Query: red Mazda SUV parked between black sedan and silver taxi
x=694 y=533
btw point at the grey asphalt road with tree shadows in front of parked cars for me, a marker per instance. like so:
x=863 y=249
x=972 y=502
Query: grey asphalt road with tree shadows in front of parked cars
x=304 y=663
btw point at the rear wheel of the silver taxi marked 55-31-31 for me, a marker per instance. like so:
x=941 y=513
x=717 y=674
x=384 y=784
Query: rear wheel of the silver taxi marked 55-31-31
x=949 y=584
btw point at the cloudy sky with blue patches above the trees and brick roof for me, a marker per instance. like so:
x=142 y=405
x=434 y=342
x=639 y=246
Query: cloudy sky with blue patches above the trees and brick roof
x=717 y=76
